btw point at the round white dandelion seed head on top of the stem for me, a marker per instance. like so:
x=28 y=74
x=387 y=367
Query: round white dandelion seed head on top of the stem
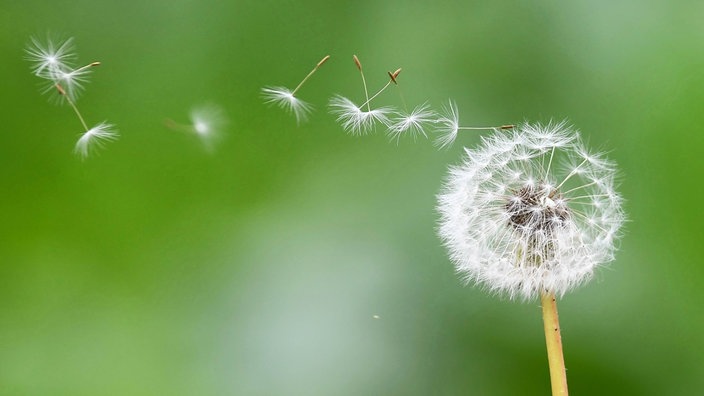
x=530 y=211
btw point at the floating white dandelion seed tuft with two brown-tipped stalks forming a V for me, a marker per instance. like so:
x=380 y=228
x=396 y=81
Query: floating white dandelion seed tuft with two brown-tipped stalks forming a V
x=353 y=118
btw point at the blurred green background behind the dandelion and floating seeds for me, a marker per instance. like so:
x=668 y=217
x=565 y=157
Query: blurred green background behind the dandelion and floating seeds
x=299 y=260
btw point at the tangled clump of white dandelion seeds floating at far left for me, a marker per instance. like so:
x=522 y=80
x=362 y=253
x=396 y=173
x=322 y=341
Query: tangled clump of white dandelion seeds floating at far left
x=51 y=61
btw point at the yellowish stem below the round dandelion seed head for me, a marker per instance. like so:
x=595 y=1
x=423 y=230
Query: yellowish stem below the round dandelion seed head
x=556 y=360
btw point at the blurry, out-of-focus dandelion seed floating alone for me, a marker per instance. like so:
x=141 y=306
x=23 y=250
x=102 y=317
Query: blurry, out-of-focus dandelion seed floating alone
x=206 y=122
